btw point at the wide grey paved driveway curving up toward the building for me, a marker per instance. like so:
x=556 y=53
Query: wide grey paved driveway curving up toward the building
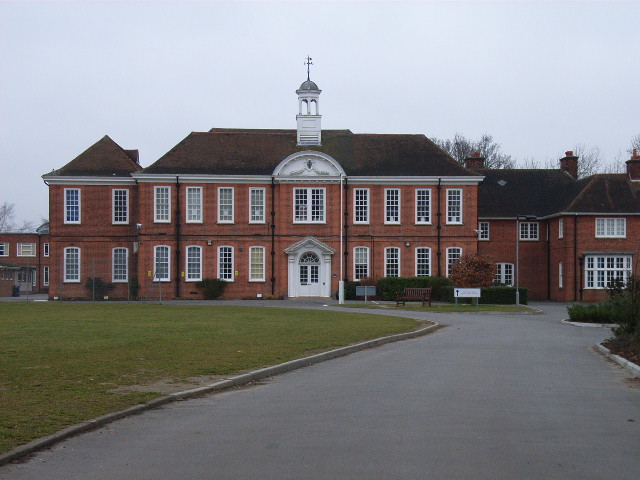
x=488 y=397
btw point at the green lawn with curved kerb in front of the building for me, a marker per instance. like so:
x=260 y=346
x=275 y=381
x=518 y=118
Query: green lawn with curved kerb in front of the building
x=59 y=362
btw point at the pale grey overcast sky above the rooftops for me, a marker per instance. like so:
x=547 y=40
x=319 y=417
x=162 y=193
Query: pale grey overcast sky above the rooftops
x=540 y=77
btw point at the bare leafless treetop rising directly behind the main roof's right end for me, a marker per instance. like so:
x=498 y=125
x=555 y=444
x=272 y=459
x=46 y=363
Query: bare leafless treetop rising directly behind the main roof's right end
x=461 y=147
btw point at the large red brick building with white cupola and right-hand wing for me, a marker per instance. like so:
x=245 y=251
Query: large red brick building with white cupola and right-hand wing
x=288 y=213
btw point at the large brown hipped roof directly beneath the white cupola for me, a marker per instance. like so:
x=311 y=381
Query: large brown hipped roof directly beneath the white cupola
x=258 y=152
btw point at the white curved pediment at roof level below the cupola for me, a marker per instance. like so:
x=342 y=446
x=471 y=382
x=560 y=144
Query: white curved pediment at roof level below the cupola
x=308 y=165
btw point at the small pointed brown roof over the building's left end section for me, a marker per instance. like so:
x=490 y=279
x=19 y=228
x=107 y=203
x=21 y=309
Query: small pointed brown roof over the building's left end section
x=103 y=158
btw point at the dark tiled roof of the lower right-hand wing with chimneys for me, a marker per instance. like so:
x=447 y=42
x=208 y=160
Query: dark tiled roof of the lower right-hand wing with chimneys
x=505 y=193
